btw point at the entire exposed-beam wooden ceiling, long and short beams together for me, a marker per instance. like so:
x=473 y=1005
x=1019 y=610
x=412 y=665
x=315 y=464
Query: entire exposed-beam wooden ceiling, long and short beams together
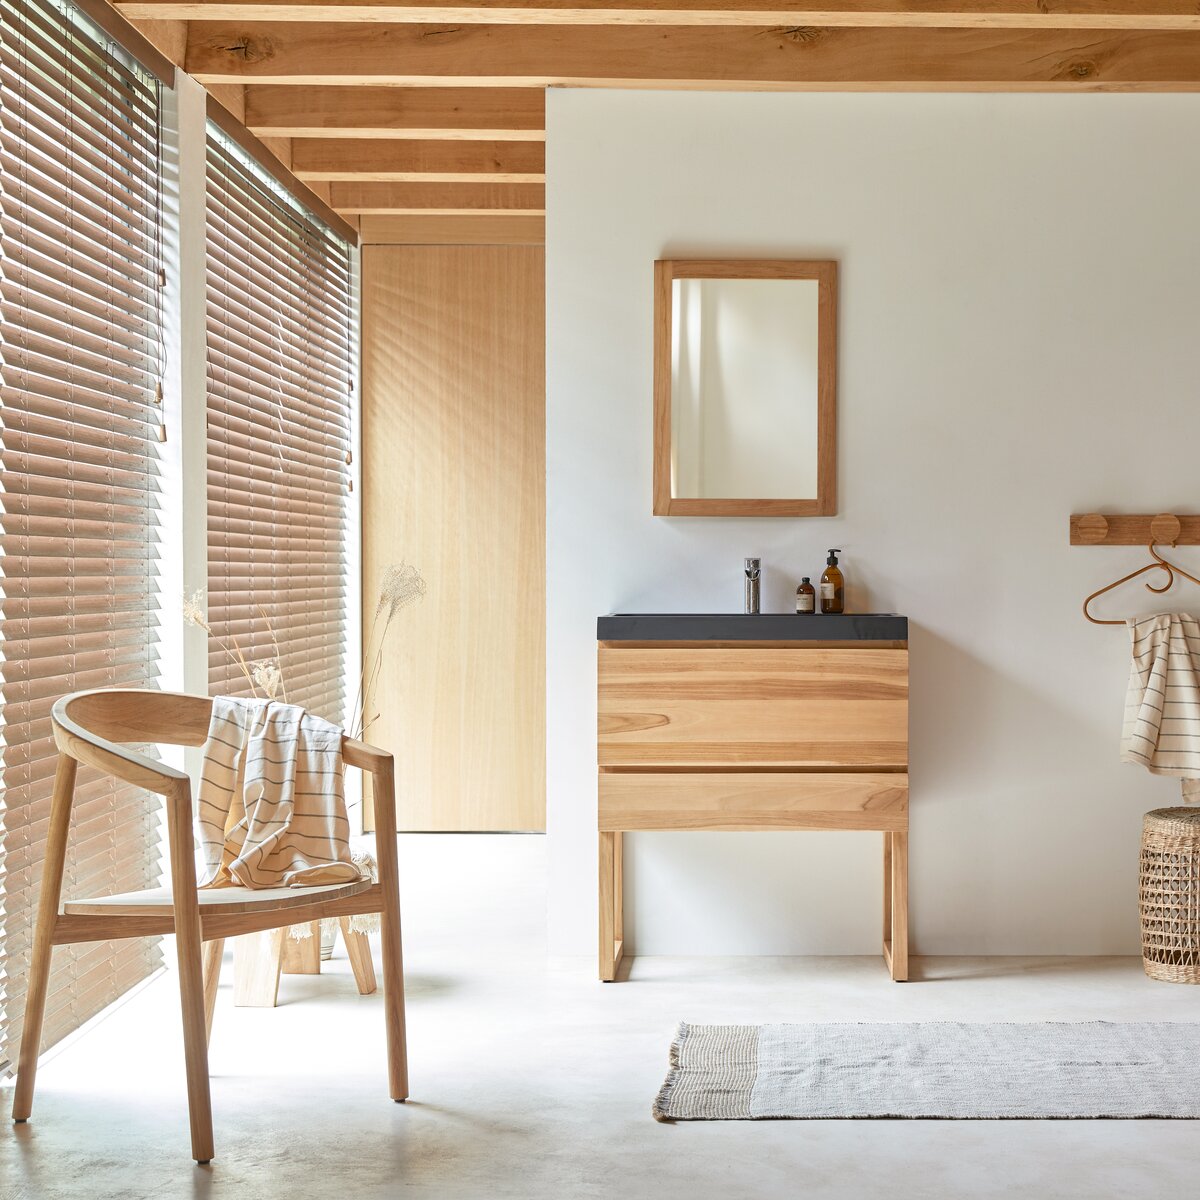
x=427 y=118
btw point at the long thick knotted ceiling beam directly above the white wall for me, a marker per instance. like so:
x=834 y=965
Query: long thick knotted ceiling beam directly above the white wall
x=673 y=57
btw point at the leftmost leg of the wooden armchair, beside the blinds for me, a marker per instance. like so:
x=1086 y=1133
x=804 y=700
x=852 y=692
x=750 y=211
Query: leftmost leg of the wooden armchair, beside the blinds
x=44 y=949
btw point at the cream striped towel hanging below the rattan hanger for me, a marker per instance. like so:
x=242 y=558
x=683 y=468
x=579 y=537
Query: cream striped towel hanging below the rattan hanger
x=1162 y=721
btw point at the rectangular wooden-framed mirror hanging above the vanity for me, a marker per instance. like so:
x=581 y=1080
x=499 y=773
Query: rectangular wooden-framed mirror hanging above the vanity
x=746 y=361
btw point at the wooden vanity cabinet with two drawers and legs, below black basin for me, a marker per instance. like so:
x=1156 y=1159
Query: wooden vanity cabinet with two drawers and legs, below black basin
x=739 y=736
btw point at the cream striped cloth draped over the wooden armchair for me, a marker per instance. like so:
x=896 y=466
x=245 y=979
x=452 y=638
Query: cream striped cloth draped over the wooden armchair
x=272 y=808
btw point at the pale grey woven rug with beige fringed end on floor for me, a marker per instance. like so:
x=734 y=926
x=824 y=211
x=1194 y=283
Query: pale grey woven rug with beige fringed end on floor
x=940 y=1070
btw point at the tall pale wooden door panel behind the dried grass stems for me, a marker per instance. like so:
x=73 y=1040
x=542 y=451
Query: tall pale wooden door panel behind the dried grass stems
x=454 y=483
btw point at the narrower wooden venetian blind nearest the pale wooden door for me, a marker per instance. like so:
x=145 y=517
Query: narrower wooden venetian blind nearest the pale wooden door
x=280 y=374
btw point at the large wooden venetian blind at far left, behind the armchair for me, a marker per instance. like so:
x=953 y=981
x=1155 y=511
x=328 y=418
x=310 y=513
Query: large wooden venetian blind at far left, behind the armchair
x=80 y=472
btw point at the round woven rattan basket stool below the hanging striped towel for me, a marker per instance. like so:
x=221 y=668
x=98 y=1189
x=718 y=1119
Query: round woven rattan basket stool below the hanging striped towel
x=1171 y=895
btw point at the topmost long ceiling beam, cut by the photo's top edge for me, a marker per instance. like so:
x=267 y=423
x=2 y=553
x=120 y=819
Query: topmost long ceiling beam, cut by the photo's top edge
x=1112 y=15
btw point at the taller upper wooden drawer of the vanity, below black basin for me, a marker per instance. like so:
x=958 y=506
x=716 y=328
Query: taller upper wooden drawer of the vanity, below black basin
x=741 y=707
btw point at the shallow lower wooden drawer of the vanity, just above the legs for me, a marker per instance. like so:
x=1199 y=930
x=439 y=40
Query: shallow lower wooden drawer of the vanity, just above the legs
x=747 y=801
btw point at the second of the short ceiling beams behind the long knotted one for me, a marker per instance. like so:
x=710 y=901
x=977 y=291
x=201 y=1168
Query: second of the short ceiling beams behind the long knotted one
x=433 y=163
